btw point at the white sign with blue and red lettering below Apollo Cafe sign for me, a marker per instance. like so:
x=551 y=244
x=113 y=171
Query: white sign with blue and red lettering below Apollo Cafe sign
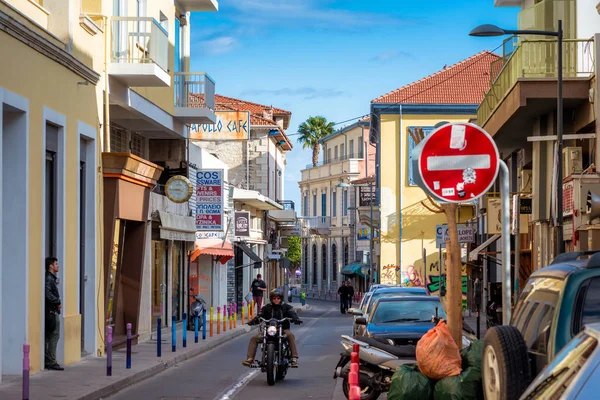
x=209 y=200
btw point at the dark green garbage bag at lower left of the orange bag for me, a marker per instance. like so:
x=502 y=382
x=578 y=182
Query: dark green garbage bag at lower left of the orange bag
x=408 y=383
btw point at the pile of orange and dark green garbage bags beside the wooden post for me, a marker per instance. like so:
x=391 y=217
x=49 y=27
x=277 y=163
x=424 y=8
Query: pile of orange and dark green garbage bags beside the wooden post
x=442 y=371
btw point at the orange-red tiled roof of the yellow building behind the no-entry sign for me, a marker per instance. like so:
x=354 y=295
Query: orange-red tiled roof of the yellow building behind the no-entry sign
x=462 y=83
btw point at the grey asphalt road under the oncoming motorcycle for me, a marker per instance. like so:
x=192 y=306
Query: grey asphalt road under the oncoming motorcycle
x=219 y=375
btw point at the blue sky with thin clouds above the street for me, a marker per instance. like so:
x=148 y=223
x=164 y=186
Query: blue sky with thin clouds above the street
x=332 y=57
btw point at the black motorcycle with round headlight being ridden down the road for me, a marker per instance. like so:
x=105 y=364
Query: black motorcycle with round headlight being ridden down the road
x=276 y=355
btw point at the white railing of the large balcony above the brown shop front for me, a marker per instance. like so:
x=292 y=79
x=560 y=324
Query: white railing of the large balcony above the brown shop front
x=139 y=40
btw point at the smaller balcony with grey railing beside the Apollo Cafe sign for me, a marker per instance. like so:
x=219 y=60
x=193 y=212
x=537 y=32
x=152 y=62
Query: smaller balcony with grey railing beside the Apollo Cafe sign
x=194 y=98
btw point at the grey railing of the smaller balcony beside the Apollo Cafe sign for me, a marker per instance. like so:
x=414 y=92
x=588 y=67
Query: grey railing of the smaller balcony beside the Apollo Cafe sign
x=194 y=89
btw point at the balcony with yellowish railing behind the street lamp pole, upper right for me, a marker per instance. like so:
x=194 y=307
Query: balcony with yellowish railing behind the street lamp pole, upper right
x=527 y=75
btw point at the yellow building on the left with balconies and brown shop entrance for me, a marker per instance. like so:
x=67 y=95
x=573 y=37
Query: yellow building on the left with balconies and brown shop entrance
x=93 y=124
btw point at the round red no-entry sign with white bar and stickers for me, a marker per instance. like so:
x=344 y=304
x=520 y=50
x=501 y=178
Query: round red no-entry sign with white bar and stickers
x=458 y=162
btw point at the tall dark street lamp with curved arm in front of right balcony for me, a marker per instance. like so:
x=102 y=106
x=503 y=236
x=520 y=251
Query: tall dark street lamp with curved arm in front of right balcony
x=492 y=30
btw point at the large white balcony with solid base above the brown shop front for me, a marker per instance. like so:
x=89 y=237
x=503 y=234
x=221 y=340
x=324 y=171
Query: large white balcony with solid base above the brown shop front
x=139 y=52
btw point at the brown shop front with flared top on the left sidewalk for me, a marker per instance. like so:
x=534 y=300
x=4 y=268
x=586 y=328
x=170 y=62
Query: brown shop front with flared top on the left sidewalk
x=128 y=180
